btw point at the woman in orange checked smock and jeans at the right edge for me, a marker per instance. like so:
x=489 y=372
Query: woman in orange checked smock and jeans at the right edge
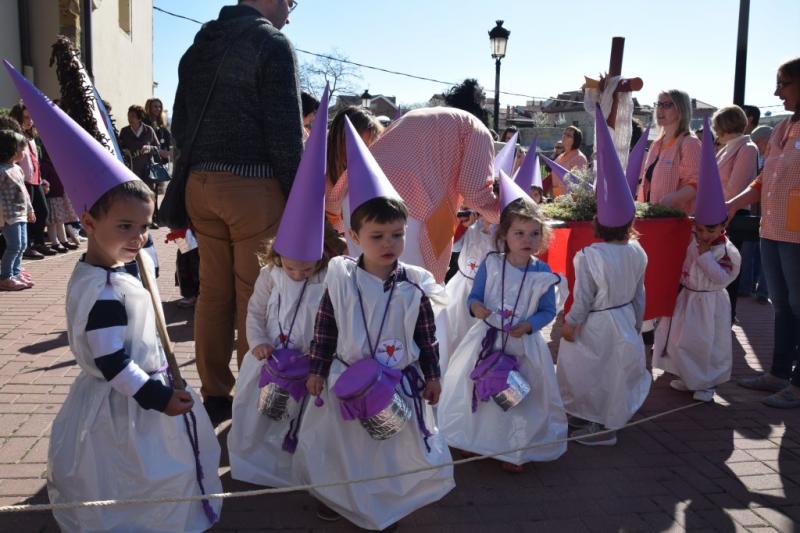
x=778 y=190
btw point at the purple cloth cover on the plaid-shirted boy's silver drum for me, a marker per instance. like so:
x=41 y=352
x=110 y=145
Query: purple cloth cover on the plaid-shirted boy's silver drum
x=365 y=389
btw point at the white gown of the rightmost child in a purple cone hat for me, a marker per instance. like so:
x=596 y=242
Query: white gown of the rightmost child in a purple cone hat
x=695 y=343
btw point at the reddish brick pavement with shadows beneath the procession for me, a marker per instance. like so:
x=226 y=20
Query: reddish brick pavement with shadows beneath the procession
x=732 y=466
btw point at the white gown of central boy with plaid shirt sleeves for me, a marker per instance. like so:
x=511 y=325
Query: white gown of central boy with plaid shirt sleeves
x=331 y=449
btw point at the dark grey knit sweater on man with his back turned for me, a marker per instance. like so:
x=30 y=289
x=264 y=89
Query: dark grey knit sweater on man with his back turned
x=253 y=125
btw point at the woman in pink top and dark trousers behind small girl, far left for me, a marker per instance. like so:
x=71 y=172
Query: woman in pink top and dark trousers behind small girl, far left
x=37 y=248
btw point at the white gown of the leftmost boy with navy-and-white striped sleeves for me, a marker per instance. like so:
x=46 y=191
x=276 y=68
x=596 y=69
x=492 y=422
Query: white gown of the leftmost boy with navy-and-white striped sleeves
x=104 y=445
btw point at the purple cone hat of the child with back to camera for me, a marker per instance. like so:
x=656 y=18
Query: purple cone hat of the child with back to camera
x=615 y=205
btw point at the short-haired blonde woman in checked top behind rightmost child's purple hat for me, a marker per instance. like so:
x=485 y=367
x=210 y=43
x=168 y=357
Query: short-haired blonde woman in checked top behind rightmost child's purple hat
x=738 y=166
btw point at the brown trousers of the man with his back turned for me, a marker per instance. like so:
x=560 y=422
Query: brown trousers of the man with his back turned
x=232 y=216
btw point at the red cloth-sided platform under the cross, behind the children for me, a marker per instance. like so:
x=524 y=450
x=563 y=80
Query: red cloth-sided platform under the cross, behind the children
x=665 y=241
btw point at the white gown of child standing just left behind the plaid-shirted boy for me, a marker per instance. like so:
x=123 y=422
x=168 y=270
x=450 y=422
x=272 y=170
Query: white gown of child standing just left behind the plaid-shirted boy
x=255 y=441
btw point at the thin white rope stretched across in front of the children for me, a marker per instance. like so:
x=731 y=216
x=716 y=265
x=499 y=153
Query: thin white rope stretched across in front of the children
x=27 y=508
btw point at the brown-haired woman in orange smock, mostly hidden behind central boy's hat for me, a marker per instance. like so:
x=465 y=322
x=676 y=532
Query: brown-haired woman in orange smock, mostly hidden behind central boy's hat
x=370 y=129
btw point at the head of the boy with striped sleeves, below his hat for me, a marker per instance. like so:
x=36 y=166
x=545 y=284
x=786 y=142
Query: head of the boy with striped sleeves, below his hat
x=117 y=236
